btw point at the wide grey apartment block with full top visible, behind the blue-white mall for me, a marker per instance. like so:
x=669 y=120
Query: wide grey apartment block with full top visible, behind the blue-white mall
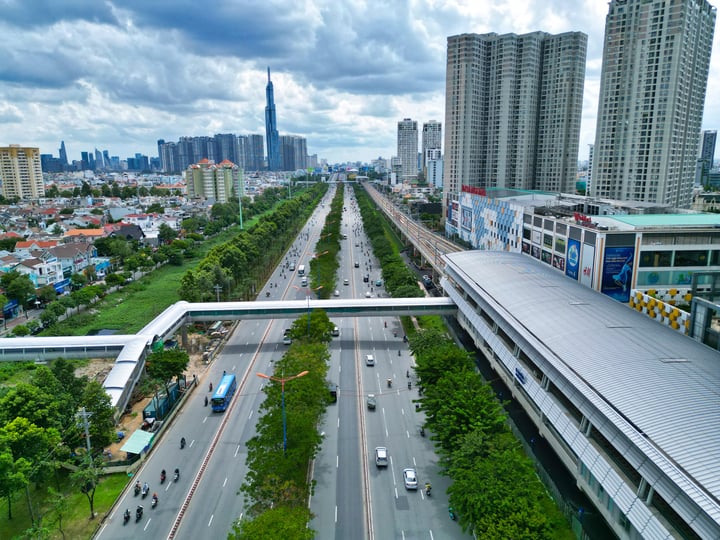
x=513 y=105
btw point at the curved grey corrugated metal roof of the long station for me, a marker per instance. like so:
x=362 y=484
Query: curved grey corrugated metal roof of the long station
x=621 y=354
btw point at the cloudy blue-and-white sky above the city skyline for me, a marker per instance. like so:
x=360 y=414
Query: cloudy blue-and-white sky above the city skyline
x=119 y=75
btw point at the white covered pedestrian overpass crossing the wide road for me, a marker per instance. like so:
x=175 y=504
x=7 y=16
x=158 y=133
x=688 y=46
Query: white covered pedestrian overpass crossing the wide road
x=130 y=351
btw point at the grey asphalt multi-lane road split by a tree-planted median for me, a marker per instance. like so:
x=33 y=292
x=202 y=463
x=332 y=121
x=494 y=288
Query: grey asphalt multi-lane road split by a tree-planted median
x=352 y=498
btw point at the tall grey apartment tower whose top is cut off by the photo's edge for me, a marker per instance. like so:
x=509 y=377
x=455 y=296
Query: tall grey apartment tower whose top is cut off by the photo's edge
x=656 y=59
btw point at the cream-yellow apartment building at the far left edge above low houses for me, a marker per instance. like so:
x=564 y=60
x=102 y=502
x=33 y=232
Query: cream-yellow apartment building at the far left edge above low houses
x=21 y=173
